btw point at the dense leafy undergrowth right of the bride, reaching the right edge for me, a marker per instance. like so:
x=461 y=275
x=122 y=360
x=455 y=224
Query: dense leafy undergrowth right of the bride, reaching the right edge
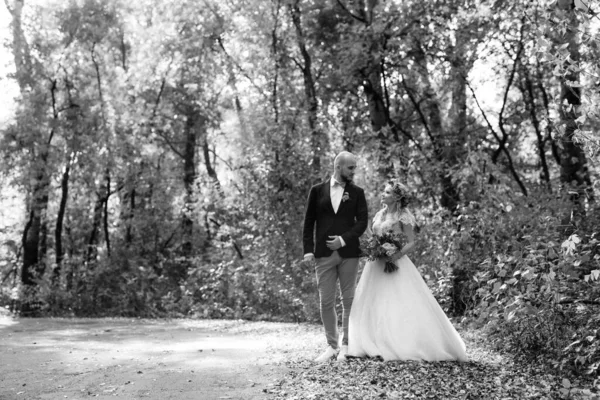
x=519 y=266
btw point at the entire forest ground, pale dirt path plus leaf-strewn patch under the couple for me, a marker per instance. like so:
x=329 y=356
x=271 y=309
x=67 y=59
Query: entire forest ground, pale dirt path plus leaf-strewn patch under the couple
x=50 y=358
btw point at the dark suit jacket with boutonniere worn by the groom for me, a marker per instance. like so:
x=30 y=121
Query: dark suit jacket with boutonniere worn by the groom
x=349 y=222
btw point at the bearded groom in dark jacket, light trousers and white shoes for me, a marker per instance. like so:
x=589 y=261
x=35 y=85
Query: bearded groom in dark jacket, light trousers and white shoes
x=338 y=210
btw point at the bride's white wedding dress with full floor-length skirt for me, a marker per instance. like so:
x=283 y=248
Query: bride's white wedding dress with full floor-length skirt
x=395 y=316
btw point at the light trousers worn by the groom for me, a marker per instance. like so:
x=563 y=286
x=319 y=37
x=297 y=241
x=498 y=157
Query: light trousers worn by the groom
x=329 y=271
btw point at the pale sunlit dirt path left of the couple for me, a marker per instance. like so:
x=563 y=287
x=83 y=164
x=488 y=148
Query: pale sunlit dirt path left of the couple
x=141 y=359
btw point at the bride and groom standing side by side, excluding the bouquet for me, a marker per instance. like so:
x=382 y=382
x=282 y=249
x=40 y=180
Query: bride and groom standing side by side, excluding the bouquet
x=391 y=315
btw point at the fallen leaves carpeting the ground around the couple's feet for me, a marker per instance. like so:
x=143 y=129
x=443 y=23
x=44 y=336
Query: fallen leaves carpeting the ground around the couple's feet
x=488 y=375
